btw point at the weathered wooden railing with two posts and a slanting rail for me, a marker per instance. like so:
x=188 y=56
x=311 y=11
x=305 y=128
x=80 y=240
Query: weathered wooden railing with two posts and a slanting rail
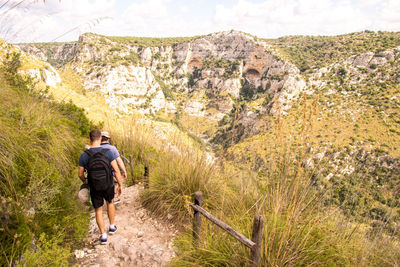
x=256 y=239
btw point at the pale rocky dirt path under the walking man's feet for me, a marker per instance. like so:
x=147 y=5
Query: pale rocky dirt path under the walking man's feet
x=141 y=239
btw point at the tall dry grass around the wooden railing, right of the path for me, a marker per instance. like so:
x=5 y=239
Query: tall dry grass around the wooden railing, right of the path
x=300 y=229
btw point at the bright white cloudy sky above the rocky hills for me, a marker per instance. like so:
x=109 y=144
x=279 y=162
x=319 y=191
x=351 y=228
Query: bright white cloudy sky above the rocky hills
x=65 y=20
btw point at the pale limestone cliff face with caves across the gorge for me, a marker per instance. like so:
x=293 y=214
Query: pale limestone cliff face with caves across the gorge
x=221 y=67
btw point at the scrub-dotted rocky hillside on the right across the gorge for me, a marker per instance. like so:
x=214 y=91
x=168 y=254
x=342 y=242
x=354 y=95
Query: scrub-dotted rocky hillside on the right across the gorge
x=350 y=115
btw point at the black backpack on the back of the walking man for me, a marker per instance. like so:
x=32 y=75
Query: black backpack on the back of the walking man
x=99 y=170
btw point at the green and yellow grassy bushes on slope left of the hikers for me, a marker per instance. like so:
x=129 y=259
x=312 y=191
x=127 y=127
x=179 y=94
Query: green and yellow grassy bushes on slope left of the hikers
x=40 y=142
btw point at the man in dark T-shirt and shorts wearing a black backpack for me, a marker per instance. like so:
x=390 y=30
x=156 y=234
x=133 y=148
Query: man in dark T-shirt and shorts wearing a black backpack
x=99 y=162
